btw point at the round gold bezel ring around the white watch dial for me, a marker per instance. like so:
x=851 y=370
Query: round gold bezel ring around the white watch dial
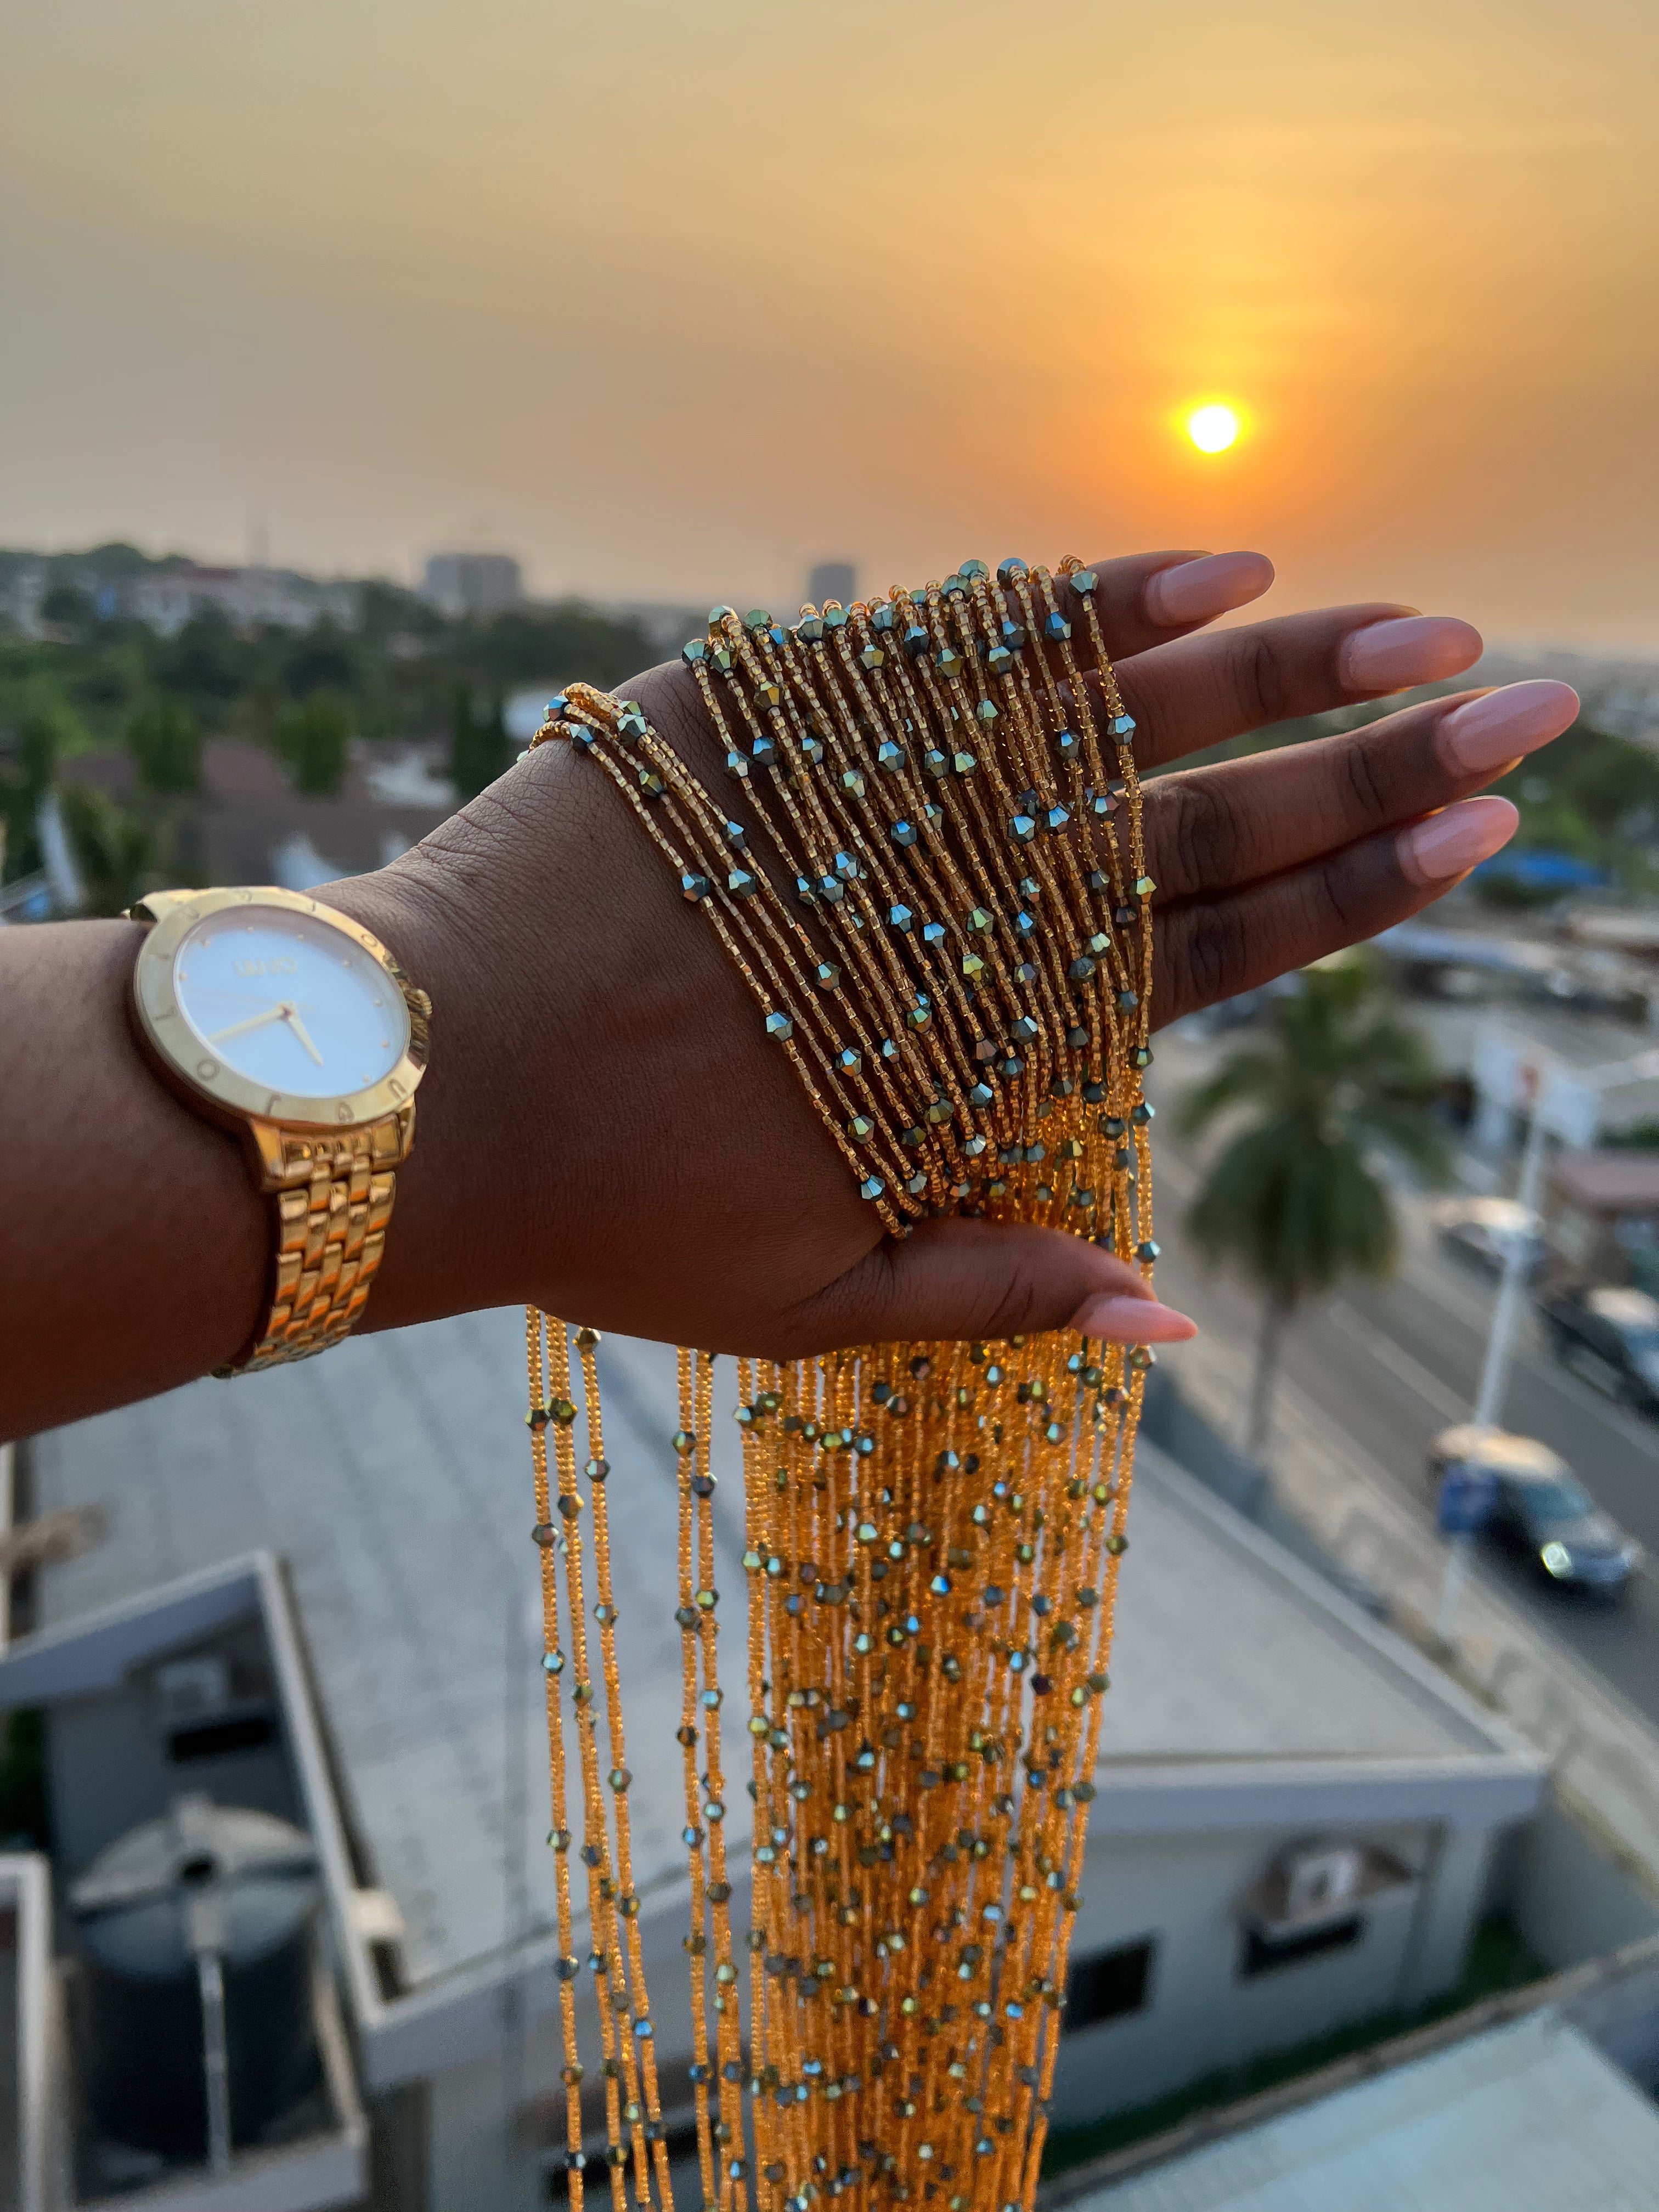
x=171 y=1039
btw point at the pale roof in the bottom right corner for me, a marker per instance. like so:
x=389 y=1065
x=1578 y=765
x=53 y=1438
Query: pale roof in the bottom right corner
x=1527 y=2118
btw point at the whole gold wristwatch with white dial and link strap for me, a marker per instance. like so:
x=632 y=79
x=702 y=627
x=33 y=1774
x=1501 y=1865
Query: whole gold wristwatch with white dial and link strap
x=295 y=1027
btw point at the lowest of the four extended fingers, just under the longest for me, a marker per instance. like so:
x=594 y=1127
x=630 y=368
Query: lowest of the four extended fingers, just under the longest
x=1215 y=948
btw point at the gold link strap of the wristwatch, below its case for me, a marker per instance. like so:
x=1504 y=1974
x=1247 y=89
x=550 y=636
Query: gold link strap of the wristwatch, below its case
x=331 y=1204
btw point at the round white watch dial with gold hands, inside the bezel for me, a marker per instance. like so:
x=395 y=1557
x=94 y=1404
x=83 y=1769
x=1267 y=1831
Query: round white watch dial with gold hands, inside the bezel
x=291 y=1003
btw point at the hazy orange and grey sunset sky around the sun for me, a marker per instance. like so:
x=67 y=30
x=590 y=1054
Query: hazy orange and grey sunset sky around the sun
x=674 y=298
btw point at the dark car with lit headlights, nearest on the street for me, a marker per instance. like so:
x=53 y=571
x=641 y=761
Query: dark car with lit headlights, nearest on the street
x=1538 y=1507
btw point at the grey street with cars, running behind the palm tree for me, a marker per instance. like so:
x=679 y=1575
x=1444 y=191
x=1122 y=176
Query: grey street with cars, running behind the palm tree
x=1395 y=1364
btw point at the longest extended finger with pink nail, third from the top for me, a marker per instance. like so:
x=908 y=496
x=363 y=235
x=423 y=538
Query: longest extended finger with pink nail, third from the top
x=1215 y=828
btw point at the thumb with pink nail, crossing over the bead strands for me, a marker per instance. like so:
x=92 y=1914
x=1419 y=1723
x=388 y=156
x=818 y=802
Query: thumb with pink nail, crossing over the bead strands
x=959 y=1280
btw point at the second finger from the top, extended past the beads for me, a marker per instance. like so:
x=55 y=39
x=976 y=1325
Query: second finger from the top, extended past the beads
x=1202 y=691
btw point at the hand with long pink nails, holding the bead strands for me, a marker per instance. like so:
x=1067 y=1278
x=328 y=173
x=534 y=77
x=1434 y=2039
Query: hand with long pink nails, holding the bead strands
x=605 y=1129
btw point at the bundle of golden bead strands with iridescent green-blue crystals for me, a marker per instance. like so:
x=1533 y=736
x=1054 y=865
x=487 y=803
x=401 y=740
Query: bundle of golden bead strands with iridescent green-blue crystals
x=928 y=868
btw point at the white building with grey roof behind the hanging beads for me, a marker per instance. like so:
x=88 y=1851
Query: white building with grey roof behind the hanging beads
x=1300 y=1824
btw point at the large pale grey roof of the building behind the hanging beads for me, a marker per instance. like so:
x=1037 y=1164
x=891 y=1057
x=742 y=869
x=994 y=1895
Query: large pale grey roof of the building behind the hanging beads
x=393 y=1479
